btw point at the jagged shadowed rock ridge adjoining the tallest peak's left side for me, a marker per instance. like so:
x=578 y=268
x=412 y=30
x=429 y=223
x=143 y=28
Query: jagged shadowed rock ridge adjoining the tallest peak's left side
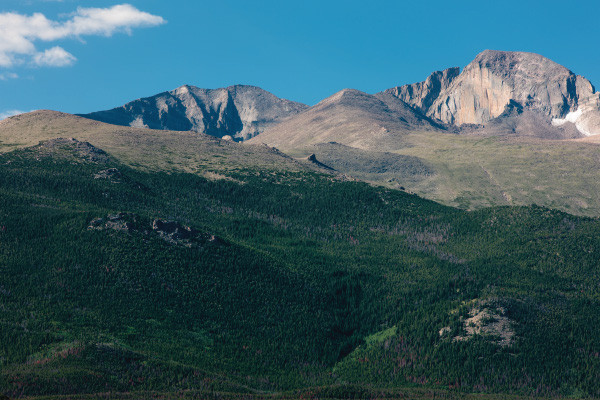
x=421 y=95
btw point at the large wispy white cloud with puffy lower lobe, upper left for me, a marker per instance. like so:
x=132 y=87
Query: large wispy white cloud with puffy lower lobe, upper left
x=18 y=32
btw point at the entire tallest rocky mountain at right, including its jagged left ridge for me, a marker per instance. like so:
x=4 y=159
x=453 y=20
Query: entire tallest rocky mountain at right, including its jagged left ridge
x=501 y=84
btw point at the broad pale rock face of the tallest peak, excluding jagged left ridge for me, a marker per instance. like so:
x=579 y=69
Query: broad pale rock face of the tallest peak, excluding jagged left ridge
x=495 y=79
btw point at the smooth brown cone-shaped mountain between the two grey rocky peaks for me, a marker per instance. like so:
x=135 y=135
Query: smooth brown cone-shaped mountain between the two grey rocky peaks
x=352 y=118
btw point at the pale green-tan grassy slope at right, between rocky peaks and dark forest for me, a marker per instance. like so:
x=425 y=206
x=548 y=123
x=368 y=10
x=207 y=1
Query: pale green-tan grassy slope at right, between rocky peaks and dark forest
x=474 y=172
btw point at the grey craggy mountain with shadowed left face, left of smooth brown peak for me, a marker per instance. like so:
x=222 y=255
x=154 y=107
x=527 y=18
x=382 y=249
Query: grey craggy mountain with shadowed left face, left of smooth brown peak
x=238 y=111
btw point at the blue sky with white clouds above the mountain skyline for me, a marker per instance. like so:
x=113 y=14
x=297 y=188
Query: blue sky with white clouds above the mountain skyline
x=300 y=50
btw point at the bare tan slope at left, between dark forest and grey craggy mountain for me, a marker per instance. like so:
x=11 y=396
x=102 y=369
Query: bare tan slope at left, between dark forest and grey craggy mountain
x=146 y=148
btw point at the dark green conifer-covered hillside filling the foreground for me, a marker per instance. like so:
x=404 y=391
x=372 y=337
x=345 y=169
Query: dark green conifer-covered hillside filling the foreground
x=274 y=283
